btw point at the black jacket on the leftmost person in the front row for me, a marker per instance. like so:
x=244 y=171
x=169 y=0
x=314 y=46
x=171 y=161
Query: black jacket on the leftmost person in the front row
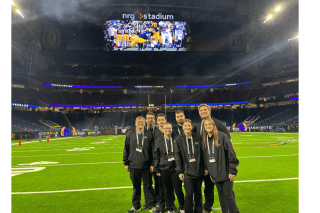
x=133 y=158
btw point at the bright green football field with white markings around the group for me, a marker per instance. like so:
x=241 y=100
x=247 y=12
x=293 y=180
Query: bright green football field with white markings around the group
x=93 y=179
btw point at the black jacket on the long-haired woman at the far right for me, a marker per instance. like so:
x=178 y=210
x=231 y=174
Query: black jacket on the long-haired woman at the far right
x=226 y=159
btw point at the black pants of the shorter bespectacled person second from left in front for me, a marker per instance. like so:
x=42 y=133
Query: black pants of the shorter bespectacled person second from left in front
x=171 y=182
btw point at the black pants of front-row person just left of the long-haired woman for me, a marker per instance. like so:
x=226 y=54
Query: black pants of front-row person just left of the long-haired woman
x=193 y=186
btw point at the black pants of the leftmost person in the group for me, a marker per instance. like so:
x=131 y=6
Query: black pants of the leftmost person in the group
x=136 y=175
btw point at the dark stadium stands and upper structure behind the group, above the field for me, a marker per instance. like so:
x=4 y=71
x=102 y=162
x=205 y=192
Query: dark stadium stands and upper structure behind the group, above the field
x=58 y=81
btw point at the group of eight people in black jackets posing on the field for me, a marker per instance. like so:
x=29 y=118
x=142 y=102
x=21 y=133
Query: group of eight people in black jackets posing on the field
x=186 y=153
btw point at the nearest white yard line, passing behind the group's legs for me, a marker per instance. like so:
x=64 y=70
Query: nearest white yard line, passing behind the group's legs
x=130 y=187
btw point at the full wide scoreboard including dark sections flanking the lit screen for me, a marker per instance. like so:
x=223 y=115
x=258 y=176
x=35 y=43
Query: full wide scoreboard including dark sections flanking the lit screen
x=164 y=35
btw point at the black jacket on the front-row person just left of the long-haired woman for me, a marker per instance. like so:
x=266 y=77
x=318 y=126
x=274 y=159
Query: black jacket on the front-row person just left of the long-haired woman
x=183 y=166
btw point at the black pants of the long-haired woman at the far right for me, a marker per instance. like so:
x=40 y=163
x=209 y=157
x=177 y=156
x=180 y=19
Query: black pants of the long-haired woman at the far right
x=226 y=197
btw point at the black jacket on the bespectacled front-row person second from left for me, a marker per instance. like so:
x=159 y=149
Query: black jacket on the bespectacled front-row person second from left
x=160 y=155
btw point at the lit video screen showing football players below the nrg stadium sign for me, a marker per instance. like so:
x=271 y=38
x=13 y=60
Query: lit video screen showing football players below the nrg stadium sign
x=131 y=35
